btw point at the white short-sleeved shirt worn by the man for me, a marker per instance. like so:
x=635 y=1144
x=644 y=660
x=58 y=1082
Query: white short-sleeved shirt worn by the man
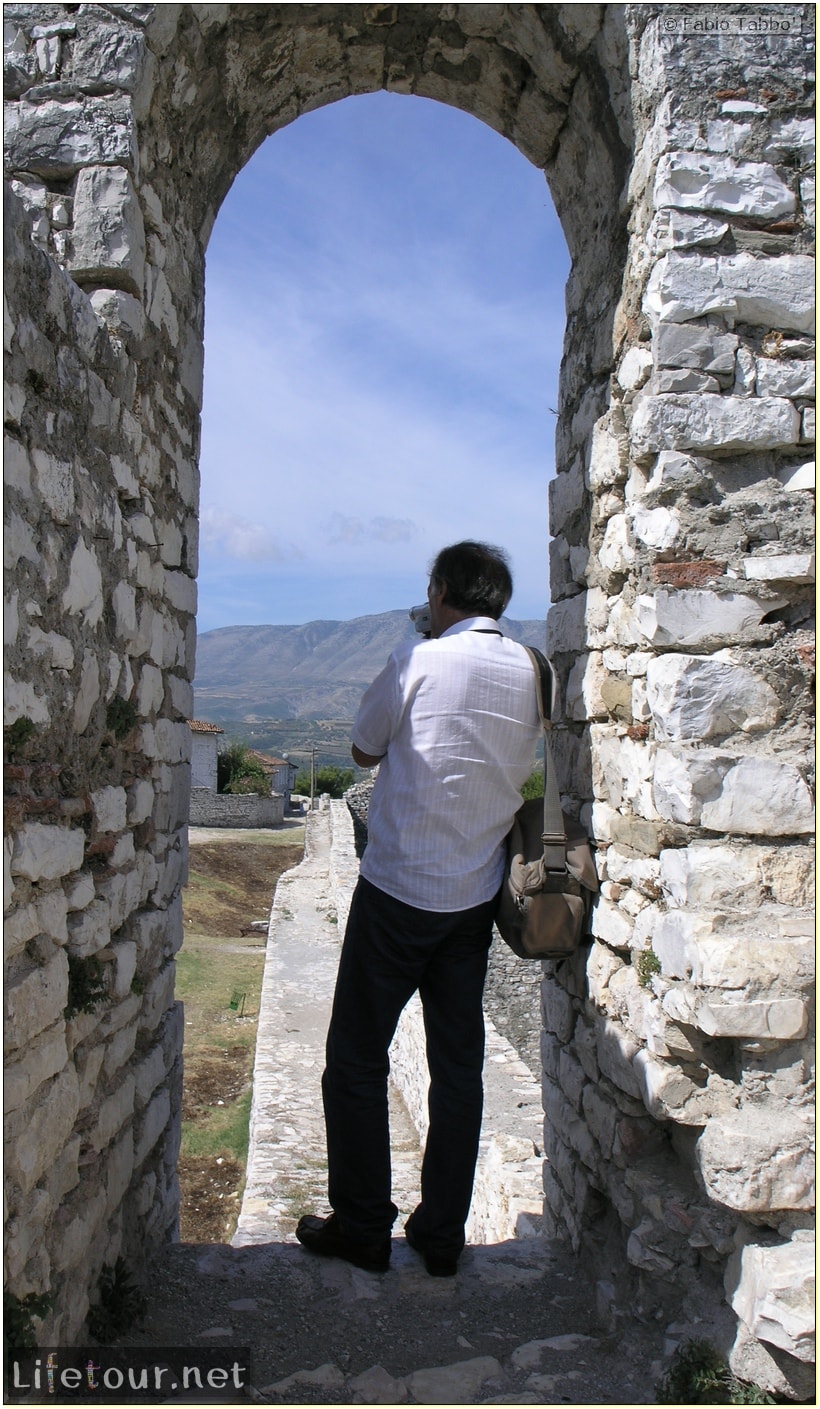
x=457 y=721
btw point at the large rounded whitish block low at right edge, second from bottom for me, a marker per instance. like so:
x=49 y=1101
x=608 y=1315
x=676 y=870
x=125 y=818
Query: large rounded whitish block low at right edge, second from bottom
x=757 y=1160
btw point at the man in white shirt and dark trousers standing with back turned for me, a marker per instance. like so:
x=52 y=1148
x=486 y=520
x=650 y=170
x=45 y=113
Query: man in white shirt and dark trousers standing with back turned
x=453 y=725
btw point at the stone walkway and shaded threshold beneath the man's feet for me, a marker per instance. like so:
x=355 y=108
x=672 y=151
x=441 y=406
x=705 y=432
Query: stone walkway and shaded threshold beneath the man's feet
x=518 y=1325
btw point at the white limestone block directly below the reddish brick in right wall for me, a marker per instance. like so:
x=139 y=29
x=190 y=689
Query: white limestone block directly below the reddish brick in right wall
x=694 y=616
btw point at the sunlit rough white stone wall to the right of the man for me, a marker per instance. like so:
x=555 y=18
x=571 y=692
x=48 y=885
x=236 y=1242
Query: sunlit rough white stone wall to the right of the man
x=677 y=1052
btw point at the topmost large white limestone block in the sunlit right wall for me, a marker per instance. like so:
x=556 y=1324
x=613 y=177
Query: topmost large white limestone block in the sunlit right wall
x=697 y=181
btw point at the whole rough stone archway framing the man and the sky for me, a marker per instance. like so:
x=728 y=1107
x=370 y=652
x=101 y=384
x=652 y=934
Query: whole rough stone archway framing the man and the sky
x=685 y=209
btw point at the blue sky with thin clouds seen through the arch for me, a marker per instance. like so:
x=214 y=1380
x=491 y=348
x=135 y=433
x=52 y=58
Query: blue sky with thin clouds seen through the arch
x=384 y=329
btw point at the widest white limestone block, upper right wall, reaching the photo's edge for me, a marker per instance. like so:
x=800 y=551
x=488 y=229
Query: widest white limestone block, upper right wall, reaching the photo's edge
x=776 y=292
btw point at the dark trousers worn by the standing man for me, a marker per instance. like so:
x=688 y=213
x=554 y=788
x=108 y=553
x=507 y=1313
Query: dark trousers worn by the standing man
x=391 y=950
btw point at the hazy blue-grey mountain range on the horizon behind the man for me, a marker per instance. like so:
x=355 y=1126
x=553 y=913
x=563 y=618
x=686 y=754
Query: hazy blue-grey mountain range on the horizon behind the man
x=312 y=671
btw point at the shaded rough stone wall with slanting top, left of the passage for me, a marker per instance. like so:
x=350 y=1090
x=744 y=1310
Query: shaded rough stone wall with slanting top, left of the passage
x=97 y=795
